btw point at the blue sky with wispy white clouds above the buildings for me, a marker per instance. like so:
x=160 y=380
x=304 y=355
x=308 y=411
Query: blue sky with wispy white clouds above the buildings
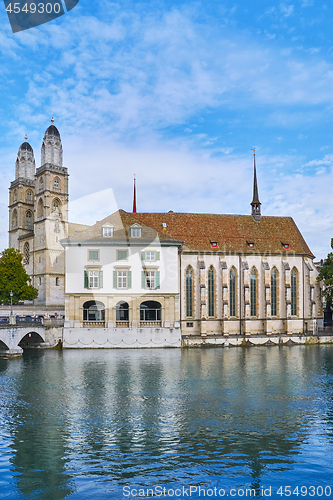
x=178 y=93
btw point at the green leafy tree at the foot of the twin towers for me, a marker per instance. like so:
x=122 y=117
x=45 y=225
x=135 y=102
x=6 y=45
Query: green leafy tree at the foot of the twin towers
x=13 y=277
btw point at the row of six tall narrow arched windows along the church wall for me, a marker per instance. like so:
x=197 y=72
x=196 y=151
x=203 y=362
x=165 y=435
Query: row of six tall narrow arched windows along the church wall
x=211 y=293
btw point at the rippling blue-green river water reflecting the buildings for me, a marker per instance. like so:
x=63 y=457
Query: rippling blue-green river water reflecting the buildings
x=110 y=424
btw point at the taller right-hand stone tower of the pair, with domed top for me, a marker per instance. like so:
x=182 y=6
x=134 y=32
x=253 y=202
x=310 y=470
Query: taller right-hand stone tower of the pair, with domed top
x=51 y=220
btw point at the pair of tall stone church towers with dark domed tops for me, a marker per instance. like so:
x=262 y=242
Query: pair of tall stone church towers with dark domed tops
x=38 y=216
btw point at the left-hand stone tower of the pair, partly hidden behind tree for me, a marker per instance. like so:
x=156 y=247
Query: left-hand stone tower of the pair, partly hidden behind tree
x=21 y=196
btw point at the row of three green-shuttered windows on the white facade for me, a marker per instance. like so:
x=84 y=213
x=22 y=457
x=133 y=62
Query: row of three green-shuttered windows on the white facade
x=122 y=279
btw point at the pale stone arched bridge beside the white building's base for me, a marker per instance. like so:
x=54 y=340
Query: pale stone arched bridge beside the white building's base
x=15 y=338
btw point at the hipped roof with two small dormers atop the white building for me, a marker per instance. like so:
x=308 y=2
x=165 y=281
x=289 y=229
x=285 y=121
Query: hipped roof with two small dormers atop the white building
x=121 y=222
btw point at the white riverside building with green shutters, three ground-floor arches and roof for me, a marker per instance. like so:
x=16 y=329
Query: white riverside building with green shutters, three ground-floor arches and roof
x=122 y=286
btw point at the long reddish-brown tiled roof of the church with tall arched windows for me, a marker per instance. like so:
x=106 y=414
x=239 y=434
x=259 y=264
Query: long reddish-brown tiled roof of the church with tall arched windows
x=232 y=233
